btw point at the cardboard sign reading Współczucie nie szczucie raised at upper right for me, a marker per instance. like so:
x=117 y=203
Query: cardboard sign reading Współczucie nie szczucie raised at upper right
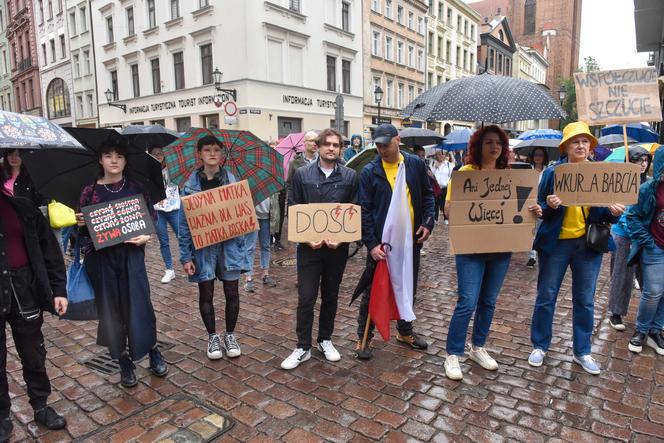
x=627 y=95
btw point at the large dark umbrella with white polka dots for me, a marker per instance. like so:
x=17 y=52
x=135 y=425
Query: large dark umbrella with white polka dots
x=486 y=98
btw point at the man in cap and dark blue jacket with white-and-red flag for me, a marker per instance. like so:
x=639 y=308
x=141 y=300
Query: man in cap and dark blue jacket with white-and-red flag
x=376 y=183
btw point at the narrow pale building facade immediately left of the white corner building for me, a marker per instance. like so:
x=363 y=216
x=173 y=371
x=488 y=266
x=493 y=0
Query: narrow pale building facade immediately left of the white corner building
x=82 y=66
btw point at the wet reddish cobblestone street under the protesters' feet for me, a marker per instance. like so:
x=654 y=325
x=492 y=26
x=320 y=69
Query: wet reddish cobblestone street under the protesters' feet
x=400 y=395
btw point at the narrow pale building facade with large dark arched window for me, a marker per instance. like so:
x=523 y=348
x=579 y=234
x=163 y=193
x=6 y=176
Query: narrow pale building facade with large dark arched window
x=55 y=69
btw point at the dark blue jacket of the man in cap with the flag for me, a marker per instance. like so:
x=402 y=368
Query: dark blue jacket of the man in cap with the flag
x=376 y=193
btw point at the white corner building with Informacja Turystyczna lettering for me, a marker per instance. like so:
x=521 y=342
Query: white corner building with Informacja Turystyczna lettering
x=287 y=61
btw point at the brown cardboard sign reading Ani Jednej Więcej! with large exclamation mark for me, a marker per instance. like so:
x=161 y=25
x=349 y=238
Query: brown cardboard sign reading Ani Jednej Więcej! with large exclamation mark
x=489 y=211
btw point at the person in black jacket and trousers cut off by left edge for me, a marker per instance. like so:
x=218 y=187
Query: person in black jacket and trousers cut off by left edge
x=32 y=279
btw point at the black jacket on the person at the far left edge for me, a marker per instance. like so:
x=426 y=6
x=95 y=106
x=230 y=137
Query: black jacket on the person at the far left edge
x=44 y=255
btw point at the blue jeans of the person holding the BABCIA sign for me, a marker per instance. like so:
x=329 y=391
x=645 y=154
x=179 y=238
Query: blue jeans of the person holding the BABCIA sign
x=585 y=264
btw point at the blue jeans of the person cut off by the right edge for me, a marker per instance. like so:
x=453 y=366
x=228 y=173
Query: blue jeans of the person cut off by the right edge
x=650 y=317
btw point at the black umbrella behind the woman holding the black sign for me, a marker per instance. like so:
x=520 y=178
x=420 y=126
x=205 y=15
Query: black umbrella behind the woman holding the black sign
x=63 y=173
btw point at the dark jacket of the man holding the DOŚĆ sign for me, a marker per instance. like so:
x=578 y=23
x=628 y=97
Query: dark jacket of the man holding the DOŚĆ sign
x=309 y=185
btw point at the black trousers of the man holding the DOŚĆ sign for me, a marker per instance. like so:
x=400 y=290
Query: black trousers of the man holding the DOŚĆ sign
x=316 y=268
